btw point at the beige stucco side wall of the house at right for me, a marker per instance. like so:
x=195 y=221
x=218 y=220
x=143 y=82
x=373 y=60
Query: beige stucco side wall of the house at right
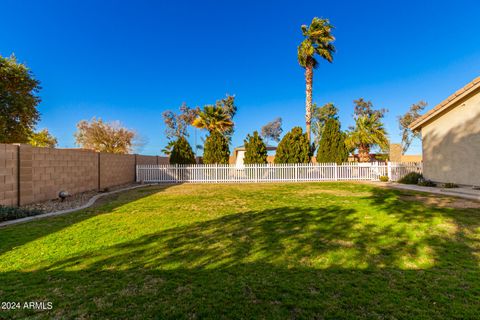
x=451 y=143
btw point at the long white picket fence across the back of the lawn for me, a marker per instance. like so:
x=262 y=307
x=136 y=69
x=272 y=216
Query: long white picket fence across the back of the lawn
x=204 y=173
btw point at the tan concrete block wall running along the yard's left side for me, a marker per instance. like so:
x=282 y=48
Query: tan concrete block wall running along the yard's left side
x=29 y=174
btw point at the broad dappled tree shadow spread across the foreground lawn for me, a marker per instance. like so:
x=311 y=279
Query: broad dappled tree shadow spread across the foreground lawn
x=288 y=262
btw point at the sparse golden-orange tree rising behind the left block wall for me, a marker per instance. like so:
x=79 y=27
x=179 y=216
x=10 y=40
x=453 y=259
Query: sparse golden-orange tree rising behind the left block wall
x=105 y=137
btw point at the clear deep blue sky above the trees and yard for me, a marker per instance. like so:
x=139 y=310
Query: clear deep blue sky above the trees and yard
x=131 y=60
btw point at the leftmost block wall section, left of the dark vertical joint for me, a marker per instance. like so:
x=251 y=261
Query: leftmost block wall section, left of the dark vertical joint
x=8 y=174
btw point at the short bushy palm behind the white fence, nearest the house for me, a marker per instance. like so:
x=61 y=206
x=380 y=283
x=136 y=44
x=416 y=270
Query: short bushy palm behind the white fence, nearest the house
x=367 y=133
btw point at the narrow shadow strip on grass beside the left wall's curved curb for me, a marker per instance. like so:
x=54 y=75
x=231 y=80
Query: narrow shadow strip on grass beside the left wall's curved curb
x=30 y=231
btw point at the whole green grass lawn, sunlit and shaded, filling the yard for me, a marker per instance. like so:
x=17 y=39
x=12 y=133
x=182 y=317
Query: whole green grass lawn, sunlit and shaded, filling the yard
x=282 y=251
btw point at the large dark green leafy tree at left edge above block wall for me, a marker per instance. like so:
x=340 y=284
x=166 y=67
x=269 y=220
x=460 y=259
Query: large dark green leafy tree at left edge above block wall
x=18 y=101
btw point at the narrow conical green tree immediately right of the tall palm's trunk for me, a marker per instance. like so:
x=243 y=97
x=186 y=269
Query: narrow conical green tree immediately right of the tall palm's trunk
x=332 y=145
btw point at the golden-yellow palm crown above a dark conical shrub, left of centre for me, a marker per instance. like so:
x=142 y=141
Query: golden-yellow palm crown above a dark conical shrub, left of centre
x=213 y=118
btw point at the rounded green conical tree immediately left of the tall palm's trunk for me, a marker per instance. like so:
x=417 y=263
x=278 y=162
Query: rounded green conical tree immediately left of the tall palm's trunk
x=294 y=148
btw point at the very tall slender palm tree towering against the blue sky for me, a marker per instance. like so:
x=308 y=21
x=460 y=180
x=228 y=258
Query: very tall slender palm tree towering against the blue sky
x=318 y=41
